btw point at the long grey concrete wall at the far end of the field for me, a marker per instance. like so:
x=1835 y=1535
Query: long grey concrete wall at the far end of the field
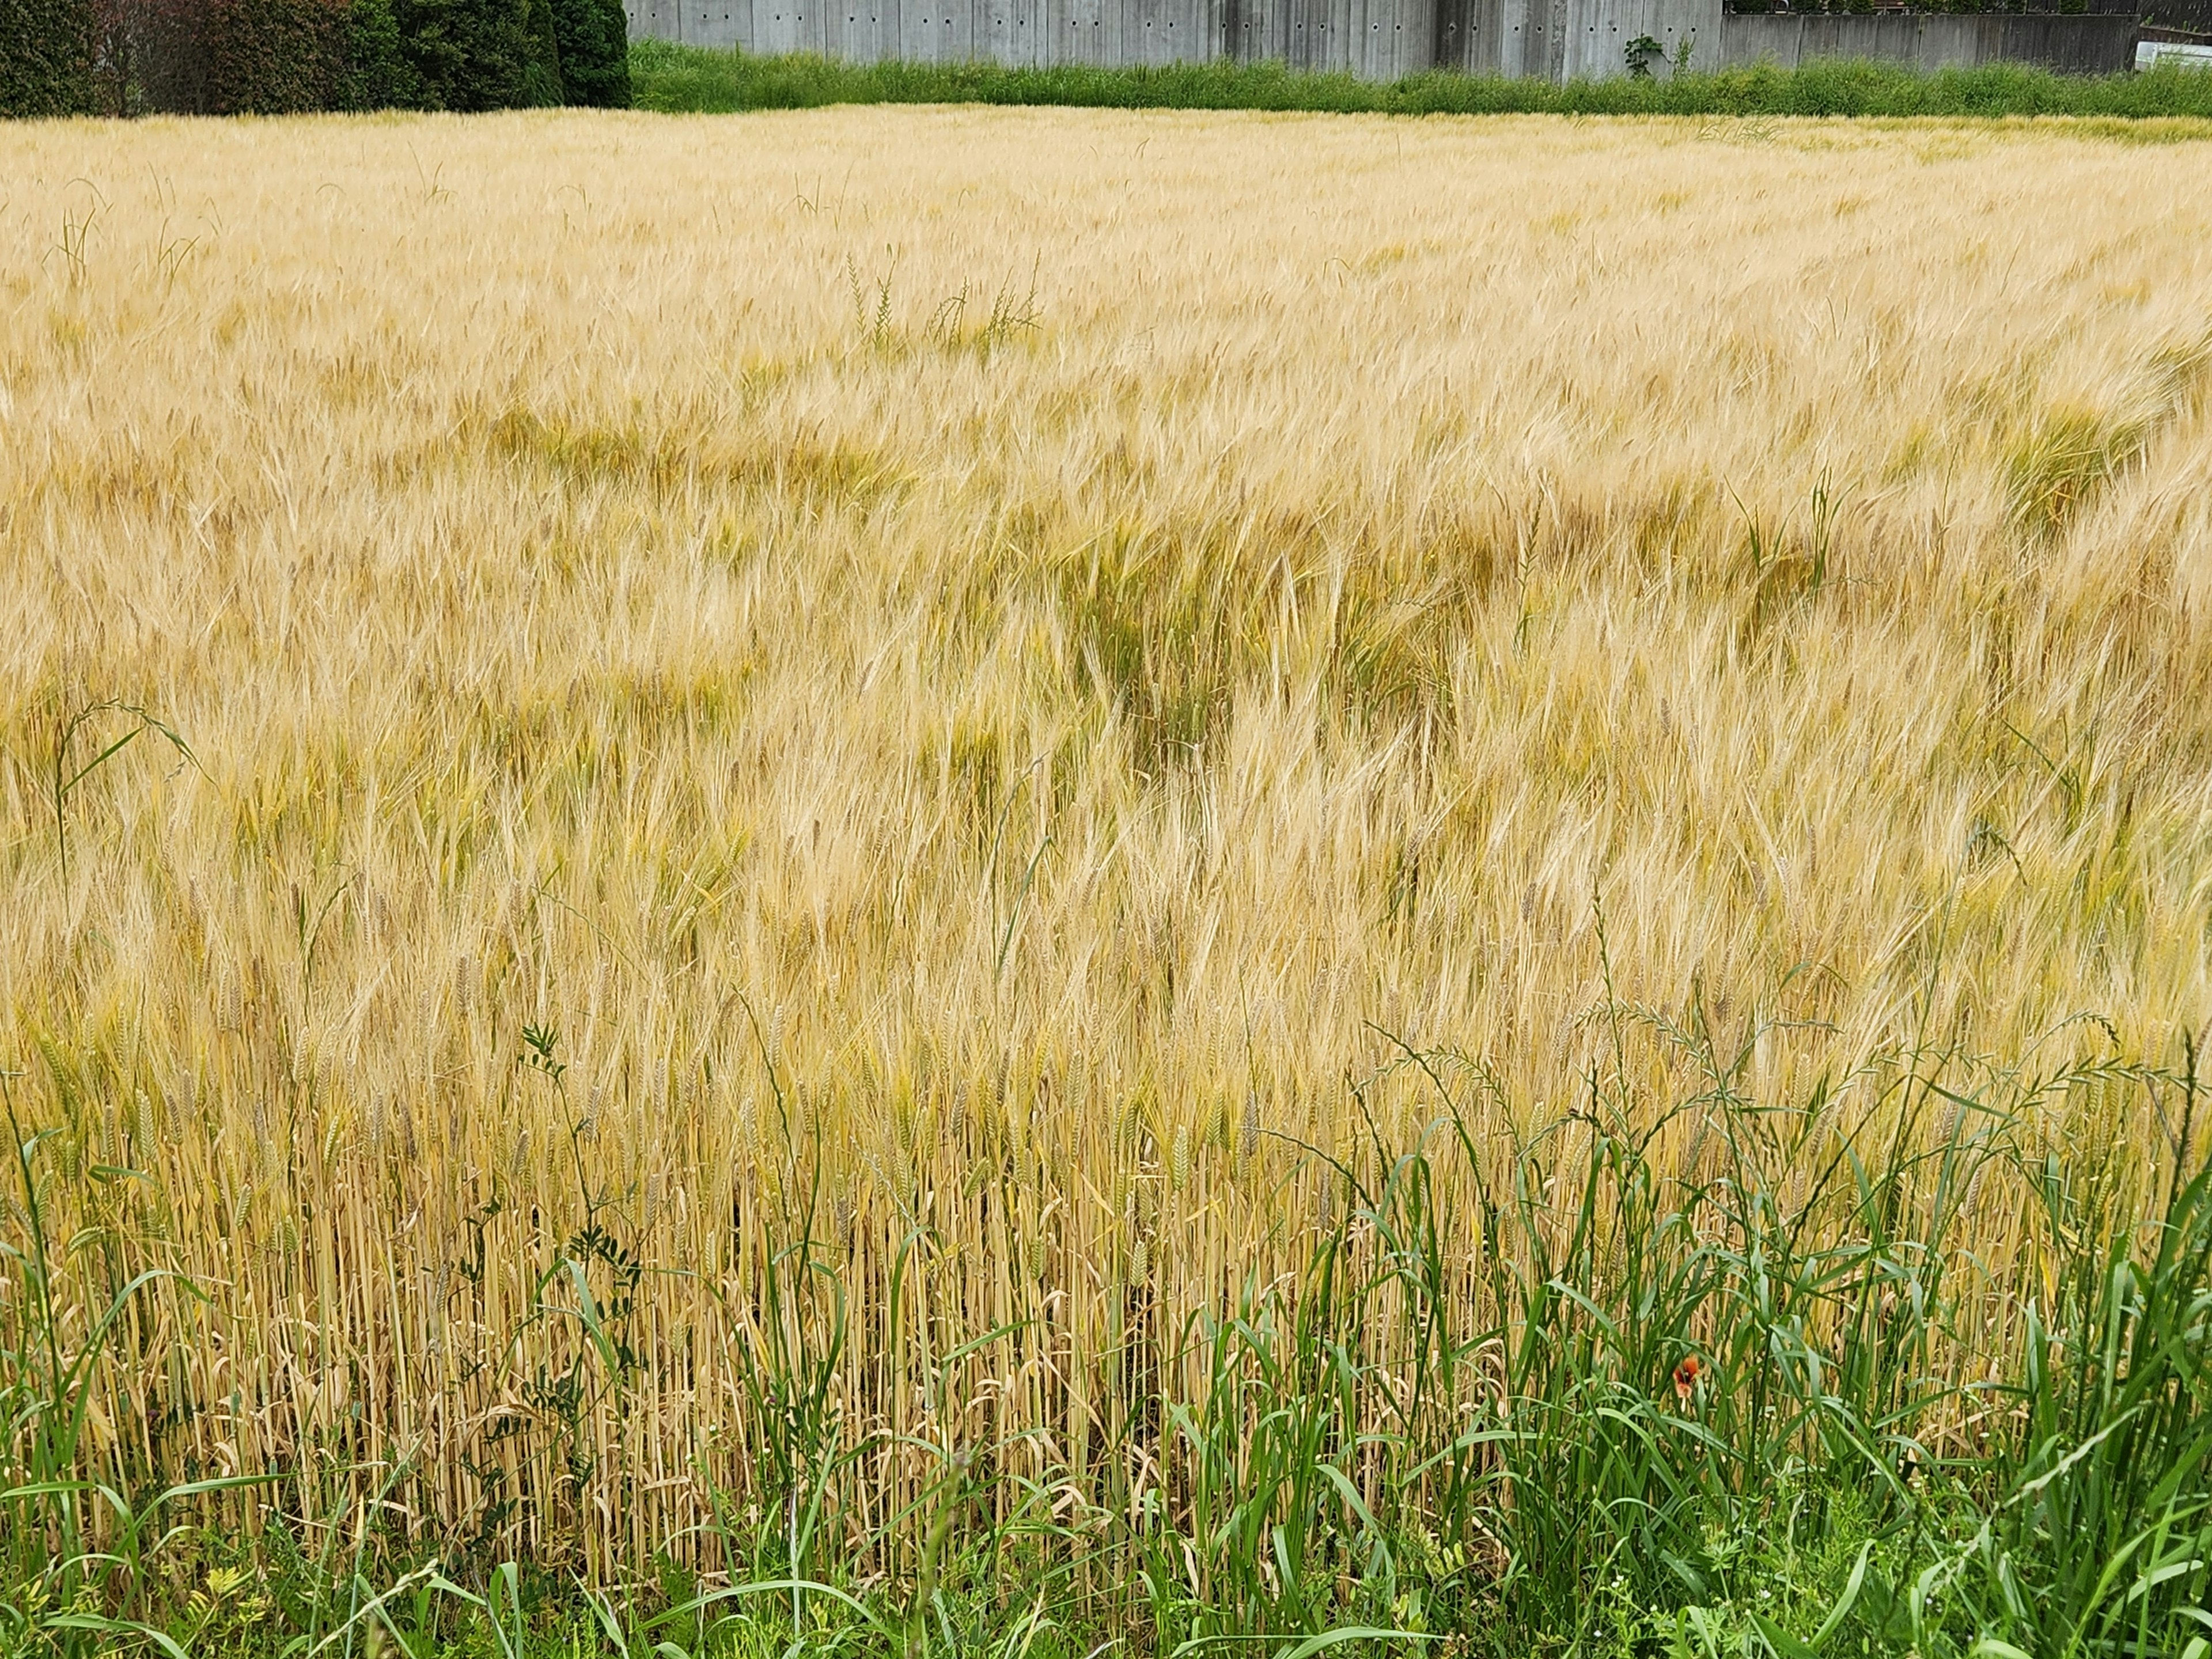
x=1375 y=39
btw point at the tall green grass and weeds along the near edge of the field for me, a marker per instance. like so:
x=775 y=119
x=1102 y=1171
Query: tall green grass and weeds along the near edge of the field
x=1833 y=1479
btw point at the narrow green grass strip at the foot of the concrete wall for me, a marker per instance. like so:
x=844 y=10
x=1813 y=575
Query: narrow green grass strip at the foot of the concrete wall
x=702 y=81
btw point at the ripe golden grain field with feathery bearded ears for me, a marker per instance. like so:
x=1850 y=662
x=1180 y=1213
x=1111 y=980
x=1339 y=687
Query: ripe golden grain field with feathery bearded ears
x=972 y=682
